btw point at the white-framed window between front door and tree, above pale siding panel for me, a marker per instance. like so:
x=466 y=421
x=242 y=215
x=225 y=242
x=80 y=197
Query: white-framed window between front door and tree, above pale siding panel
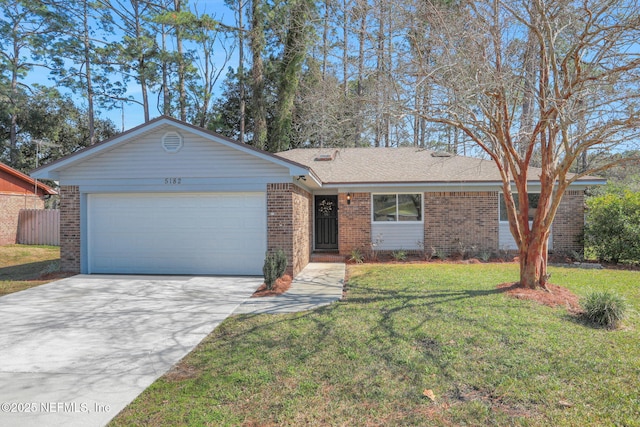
x=396 y=207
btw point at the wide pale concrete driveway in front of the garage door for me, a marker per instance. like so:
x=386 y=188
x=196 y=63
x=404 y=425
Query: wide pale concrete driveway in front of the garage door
x=76 y=351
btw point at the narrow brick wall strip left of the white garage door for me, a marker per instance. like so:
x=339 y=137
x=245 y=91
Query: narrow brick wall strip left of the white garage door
x=70 y=229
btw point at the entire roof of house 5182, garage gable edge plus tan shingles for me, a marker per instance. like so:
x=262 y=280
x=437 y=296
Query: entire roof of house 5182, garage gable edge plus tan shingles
x=329 y=166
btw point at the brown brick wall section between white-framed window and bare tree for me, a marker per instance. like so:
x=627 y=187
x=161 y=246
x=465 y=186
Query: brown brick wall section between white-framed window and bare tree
x=466 y=218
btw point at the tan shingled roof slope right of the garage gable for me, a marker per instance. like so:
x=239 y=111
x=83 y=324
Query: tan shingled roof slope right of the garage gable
x=404 y=165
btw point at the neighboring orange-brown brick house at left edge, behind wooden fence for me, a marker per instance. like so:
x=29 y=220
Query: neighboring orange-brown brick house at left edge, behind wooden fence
x=18 y=191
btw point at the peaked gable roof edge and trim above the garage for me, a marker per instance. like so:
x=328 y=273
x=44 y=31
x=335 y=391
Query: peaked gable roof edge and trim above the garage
x=50 y=170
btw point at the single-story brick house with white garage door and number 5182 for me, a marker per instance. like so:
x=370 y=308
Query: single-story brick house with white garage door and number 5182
x=170 y=198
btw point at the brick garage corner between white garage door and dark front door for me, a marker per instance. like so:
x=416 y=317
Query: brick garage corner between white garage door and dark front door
x=289 y=224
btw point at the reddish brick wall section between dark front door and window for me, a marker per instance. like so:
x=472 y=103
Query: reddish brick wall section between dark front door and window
x=354 y=222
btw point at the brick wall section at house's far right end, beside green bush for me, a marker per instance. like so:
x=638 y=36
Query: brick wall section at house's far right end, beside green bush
x=569 y=222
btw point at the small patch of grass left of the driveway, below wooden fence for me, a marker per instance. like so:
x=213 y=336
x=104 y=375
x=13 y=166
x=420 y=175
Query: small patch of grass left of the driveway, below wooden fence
x=23 y=266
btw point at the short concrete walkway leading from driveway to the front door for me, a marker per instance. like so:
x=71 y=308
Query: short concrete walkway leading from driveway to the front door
x=316 y=285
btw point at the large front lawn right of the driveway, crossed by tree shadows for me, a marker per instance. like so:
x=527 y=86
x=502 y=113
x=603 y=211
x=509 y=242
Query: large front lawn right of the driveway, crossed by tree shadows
x=489 y=359
